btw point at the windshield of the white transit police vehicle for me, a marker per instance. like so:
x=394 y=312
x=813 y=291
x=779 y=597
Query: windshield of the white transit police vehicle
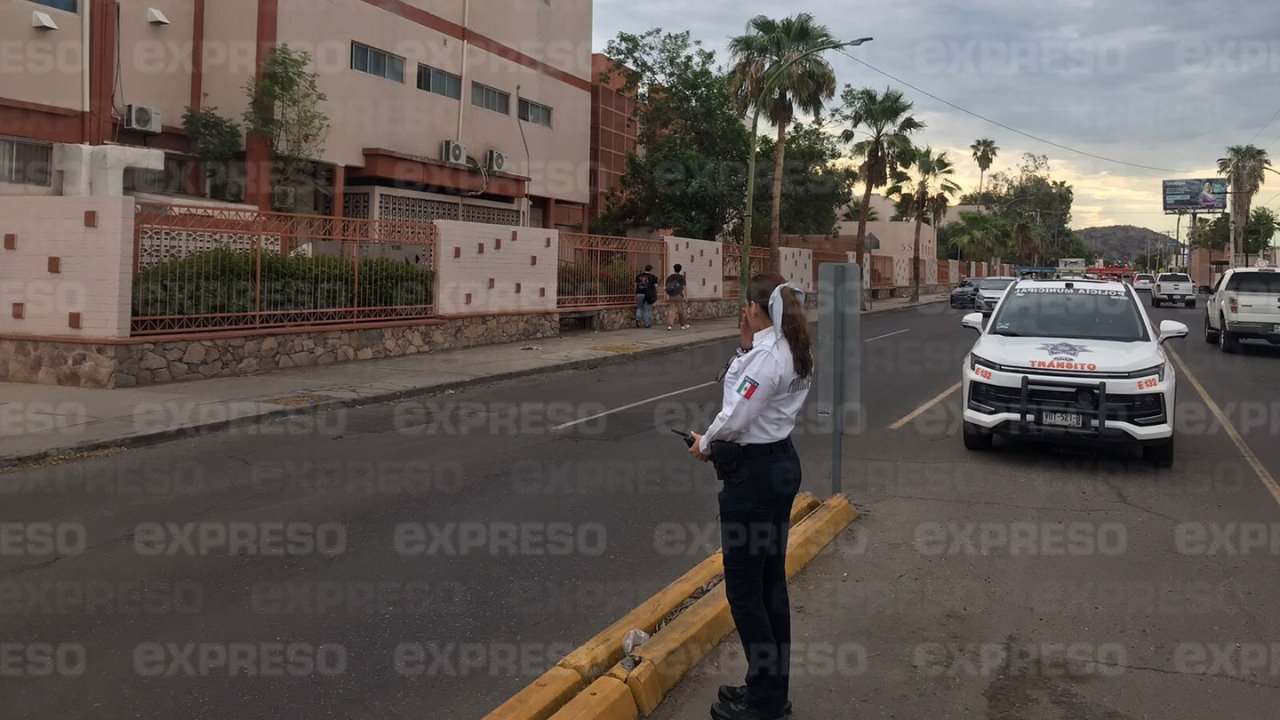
x=1081 y=313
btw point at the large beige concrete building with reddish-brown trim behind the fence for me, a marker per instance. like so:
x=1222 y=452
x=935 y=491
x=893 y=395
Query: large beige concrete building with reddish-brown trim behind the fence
x=440 y=110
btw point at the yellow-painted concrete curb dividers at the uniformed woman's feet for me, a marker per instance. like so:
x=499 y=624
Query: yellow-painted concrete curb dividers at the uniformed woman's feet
x=674 y=650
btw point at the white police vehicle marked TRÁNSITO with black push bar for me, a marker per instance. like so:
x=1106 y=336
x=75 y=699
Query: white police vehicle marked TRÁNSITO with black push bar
x=1071 y=361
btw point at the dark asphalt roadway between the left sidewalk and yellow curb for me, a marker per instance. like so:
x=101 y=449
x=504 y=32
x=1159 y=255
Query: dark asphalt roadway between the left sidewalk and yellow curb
x=483 y=458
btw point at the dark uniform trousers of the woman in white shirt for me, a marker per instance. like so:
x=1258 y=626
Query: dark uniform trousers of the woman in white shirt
x=756 y=516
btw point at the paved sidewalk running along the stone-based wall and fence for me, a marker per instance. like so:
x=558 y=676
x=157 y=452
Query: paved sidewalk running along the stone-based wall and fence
x=42 y=421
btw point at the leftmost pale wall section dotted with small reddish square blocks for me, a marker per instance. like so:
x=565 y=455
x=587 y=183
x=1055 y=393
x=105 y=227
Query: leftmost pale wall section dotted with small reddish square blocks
x=66 y=267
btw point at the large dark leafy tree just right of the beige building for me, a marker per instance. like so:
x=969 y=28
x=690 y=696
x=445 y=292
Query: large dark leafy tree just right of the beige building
x=691 y=175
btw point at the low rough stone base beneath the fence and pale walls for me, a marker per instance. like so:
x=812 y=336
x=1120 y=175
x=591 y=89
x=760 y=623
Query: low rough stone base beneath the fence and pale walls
x=175 y=361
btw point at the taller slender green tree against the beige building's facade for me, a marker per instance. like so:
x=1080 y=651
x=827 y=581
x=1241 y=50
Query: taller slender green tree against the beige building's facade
x=286 y=110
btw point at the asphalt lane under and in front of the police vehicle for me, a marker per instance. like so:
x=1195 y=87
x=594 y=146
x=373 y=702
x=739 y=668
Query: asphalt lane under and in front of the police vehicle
x=1036 y=582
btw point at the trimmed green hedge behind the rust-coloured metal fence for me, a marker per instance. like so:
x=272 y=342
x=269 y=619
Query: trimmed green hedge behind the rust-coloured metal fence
x=222 y=281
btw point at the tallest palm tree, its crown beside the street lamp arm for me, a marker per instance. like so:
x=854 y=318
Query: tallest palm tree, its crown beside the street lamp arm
x=771 y=72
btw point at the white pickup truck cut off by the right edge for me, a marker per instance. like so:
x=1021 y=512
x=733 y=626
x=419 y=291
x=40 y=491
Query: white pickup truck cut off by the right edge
x=1244 y=304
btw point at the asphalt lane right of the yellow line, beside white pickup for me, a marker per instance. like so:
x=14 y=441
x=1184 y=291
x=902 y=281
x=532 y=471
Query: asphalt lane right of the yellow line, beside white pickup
x=1246 y=386
